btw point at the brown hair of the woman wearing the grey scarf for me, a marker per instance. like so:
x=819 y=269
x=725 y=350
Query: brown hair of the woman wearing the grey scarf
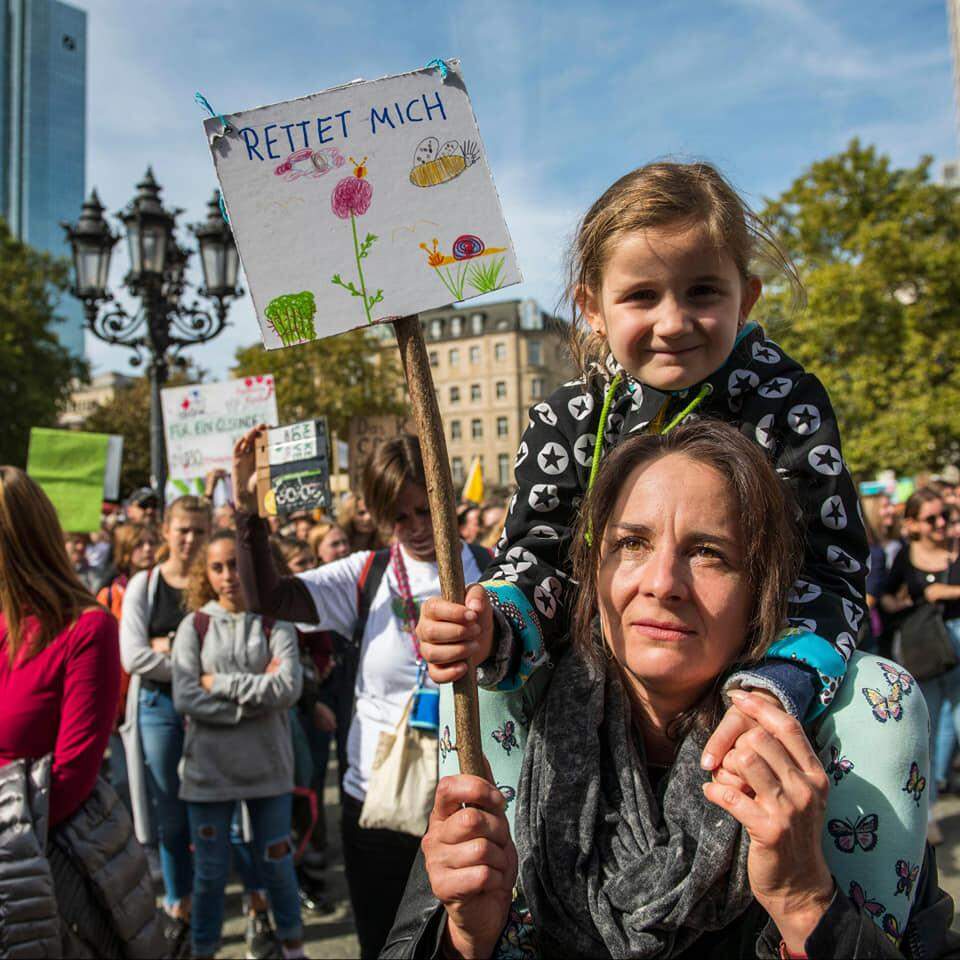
x=771 y=544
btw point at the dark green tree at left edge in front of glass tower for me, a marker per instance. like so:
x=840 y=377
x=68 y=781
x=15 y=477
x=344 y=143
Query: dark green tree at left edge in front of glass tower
x=36 y=370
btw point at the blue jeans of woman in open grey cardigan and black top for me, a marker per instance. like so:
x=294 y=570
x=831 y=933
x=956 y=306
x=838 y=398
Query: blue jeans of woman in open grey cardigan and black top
x=161 y=737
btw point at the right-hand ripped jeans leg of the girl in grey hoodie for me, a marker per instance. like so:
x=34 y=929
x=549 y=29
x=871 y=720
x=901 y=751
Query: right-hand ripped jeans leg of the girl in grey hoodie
x=271 y=837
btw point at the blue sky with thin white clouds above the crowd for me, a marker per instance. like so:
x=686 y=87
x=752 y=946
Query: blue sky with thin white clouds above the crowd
x=568 y=96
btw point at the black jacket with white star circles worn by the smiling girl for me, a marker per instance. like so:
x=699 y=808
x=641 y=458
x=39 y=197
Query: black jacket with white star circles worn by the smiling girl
x=769 y=398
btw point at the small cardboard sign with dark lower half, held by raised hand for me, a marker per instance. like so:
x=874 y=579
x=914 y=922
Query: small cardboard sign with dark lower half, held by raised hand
x=293 y=469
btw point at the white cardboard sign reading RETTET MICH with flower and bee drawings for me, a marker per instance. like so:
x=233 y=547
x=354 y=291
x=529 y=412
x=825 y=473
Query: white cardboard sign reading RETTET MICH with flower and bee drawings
x=367 y=201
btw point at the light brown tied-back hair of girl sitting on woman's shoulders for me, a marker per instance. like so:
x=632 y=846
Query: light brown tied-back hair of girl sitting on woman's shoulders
x=665 y=194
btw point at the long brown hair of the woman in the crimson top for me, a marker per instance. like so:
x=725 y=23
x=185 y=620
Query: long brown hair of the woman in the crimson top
x=36 y=577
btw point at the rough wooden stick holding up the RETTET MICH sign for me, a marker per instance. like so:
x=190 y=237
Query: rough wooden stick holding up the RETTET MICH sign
x=443 y=513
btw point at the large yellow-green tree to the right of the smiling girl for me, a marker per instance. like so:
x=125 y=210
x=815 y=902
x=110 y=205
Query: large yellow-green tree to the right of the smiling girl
x=878 y=250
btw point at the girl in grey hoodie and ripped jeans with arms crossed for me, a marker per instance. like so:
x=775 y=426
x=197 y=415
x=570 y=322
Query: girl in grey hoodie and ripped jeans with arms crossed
x=235 y=677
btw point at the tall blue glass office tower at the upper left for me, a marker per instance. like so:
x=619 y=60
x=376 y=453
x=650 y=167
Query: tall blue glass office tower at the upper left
x=43 y=54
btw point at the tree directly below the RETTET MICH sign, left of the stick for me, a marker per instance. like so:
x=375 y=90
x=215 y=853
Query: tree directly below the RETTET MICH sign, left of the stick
x=338 y=378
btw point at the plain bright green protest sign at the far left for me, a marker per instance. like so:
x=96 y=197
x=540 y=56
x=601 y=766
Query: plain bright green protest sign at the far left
x=77 y=471
